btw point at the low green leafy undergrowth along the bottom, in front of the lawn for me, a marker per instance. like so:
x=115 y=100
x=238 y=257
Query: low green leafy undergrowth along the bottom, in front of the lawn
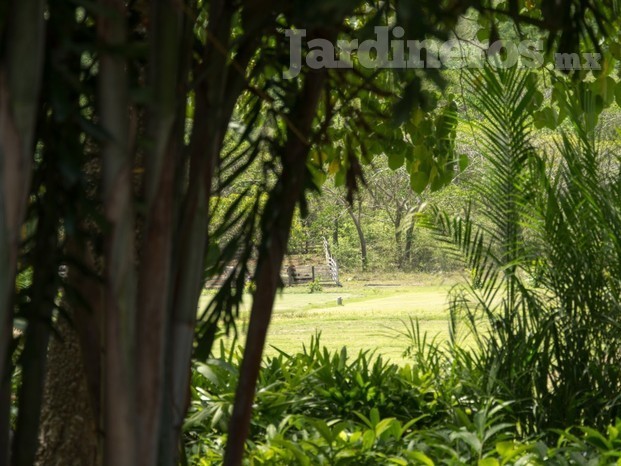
x=318 y=407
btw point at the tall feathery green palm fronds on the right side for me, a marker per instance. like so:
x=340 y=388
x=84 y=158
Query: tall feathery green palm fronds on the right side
x=549 y=344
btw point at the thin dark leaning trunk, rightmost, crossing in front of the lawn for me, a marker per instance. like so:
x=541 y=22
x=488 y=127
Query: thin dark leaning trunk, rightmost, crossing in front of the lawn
x=276 y=227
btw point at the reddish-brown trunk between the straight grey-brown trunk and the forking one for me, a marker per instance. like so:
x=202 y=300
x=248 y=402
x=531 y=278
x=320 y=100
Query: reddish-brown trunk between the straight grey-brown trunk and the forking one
x=155 y=263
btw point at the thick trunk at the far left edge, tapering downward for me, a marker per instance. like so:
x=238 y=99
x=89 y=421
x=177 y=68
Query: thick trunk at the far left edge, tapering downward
x=22 y=35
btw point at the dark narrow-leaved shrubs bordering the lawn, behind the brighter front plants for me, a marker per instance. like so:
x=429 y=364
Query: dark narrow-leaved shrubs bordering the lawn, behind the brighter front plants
x=314 y=382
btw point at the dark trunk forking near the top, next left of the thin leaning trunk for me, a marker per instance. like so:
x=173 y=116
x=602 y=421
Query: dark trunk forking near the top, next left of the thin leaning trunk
x=216 y=97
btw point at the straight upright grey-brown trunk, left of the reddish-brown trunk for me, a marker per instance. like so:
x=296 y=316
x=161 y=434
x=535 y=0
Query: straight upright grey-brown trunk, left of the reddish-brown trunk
x=120 y=293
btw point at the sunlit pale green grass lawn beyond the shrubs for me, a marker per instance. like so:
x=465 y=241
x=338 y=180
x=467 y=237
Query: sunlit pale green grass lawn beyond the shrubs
x=372 y=315
